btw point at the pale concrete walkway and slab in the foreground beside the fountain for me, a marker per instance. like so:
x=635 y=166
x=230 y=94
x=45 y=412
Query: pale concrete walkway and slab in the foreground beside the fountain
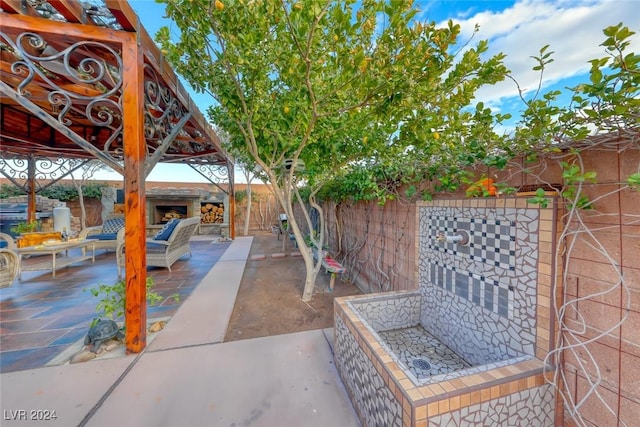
x=188 y=377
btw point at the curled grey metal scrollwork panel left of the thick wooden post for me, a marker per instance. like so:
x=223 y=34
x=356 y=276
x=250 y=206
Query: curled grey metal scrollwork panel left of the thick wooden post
x=79 y=82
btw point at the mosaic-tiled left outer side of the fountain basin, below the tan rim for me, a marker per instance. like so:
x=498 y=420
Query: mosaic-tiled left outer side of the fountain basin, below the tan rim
x=373 y=400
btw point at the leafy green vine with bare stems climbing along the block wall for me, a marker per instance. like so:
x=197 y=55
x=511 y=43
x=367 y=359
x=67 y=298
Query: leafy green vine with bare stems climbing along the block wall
x=603 y=118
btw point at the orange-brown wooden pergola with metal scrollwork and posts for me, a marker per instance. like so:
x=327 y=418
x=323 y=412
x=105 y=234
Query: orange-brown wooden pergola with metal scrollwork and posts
x=85 y=80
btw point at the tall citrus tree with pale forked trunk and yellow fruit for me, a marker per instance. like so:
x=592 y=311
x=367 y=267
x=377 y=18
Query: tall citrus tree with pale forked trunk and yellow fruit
x=327 y=84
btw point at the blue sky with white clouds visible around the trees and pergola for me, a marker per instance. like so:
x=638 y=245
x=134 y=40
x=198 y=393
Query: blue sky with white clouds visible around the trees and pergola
x=517 y=28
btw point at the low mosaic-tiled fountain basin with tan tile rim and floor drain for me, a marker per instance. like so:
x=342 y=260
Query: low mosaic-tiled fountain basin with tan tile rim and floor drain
x=399 y=373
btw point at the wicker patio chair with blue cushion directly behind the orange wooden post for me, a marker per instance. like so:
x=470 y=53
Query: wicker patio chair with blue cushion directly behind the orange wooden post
x=167 y=246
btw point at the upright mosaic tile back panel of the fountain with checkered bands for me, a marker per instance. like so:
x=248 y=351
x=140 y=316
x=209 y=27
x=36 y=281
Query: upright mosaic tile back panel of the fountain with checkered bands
x=479 y=299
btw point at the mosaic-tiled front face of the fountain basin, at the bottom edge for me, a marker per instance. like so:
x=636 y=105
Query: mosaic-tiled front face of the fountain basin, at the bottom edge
x=532 y=407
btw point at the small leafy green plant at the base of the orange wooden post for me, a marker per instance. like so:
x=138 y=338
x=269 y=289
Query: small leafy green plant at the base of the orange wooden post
x=112 y=299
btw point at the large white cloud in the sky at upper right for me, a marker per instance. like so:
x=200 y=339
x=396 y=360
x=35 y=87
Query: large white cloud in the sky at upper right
x=573 y=29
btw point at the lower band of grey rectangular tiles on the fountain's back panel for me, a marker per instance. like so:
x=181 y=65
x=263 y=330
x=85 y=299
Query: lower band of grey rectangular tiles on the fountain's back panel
x=491 y=294
